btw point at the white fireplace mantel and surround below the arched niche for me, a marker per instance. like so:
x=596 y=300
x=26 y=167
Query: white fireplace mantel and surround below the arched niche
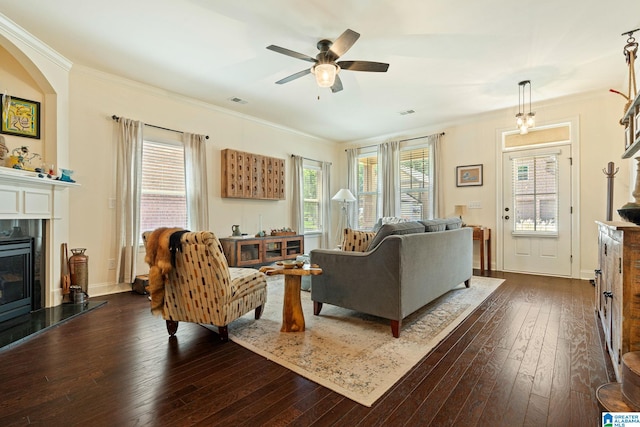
x=23 y=195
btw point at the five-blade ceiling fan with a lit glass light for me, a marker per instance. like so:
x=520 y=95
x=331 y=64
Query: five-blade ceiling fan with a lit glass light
x=325 y=67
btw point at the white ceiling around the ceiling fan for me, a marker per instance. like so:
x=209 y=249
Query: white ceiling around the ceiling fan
x=448 y=59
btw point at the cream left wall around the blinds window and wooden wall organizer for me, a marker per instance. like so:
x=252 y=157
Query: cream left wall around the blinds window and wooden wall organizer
x=95 y=97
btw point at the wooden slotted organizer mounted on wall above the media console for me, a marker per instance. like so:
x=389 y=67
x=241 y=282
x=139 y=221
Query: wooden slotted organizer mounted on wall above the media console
x=252 y=176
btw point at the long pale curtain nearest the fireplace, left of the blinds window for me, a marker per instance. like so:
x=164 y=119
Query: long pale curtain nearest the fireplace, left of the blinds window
x=128 y=184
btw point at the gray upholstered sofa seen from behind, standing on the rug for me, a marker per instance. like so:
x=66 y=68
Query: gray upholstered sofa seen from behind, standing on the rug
x=406 y=270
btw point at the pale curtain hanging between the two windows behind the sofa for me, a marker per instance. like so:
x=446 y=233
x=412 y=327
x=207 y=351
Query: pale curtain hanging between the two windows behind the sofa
x=389 y=170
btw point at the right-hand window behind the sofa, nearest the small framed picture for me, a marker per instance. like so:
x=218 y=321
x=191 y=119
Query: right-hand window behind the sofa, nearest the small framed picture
x=416 y=184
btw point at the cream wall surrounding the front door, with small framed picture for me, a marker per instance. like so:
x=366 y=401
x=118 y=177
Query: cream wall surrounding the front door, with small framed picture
x=600 y=140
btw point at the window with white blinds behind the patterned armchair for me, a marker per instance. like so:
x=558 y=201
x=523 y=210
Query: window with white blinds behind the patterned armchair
x=163 y=200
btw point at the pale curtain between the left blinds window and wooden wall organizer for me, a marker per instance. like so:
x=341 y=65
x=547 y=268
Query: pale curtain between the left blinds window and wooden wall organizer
x=195 y=168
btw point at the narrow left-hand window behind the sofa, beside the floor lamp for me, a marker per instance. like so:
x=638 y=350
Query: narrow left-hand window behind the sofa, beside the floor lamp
x=367 y=190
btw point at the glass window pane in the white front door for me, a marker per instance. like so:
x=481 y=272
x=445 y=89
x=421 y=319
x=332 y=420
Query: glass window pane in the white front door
x=535 y=194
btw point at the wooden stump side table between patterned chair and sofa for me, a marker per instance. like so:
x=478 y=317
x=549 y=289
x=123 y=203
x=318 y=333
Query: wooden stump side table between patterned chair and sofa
x=292 y=315
